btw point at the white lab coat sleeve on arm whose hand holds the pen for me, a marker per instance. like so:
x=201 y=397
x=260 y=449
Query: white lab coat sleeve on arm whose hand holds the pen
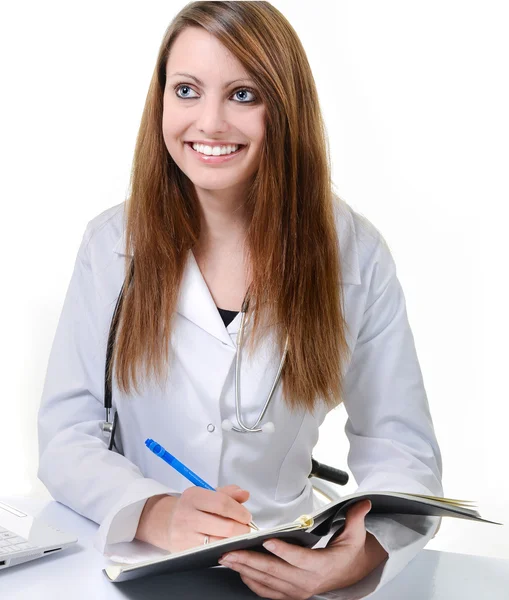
x=74 y=462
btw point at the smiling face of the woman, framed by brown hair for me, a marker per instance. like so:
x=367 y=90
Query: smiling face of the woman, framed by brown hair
x=212 y=111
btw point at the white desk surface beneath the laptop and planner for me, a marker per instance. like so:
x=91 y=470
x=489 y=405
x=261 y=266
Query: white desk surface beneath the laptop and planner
x=76 y=573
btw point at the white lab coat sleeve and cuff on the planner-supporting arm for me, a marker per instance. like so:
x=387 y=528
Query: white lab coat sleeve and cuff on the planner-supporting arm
x=393 y=445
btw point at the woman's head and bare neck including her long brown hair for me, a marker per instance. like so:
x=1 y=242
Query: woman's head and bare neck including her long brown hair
x=246 y=213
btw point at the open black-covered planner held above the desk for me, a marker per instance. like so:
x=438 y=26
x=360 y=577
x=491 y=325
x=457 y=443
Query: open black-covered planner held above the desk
x=306 y=531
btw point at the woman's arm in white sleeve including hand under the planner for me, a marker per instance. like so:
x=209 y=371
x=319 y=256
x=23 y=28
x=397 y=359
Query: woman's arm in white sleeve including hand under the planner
x=392 y=447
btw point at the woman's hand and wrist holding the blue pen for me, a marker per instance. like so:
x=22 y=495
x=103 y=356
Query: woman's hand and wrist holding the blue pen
x=178 y=523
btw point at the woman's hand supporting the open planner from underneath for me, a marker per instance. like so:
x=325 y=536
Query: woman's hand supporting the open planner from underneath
x=297 y=573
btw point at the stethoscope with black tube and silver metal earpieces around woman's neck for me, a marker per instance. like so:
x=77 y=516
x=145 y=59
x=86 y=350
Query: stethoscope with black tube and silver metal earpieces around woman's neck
x=109 y=427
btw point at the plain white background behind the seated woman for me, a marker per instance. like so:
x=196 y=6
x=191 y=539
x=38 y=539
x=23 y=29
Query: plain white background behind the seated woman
x=415 y=98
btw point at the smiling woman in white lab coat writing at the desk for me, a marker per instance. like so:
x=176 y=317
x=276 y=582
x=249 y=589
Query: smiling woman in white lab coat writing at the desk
x=205 y=234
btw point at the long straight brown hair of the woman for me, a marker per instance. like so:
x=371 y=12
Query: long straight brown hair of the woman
x=291 y=240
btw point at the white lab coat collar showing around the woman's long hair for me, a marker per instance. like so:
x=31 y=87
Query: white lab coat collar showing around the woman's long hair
x=195 y=301
